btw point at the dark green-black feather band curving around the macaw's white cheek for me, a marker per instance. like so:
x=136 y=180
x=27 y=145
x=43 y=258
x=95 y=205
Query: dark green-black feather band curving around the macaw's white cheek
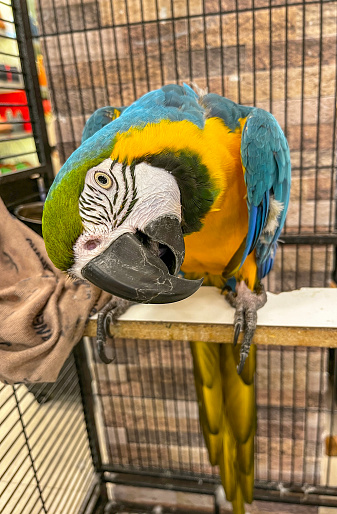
x=196 y=187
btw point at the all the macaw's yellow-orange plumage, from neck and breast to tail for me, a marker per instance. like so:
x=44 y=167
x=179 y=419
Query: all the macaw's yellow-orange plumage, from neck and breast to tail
x=226 y=400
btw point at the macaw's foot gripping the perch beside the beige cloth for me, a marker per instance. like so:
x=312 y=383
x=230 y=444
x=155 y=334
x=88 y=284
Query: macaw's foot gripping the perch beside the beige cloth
x=109 y=314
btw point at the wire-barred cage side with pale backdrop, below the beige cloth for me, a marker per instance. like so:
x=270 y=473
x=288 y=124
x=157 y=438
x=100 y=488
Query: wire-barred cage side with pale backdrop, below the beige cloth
x=45 y=460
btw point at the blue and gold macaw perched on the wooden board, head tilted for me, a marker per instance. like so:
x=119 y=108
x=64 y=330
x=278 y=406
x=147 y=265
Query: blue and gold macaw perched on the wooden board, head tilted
x=173 y=170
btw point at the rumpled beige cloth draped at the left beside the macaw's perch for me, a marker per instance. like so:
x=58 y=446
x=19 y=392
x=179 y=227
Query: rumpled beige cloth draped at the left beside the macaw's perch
x=42 y=312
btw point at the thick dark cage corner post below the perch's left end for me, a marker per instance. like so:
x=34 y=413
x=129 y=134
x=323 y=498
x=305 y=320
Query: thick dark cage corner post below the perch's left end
x=85 y=384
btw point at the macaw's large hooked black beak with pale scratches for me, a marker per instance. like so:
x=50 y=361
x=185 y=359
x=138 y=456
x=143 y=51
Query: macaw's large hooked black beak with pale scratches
x=142 y=267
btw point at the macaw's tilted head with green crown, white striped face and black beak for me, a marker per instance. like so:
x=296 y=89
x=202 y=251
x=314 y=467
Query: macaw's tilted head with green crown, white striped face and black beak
x=119 y=222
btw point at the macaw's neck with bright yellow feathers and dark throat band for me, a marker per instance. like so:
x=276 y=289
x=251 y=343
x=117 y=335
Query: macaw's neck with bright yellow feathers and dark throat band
x=201 y=160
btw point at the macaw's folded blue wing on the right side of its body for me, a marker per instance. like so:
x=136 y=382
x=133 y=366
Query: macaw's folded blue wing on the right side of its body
x=266 y=159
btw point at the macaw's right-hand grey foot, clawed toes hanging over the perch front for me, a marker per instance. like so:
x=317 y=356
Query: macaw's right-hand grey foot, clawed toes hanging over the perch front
x=246 y=303
